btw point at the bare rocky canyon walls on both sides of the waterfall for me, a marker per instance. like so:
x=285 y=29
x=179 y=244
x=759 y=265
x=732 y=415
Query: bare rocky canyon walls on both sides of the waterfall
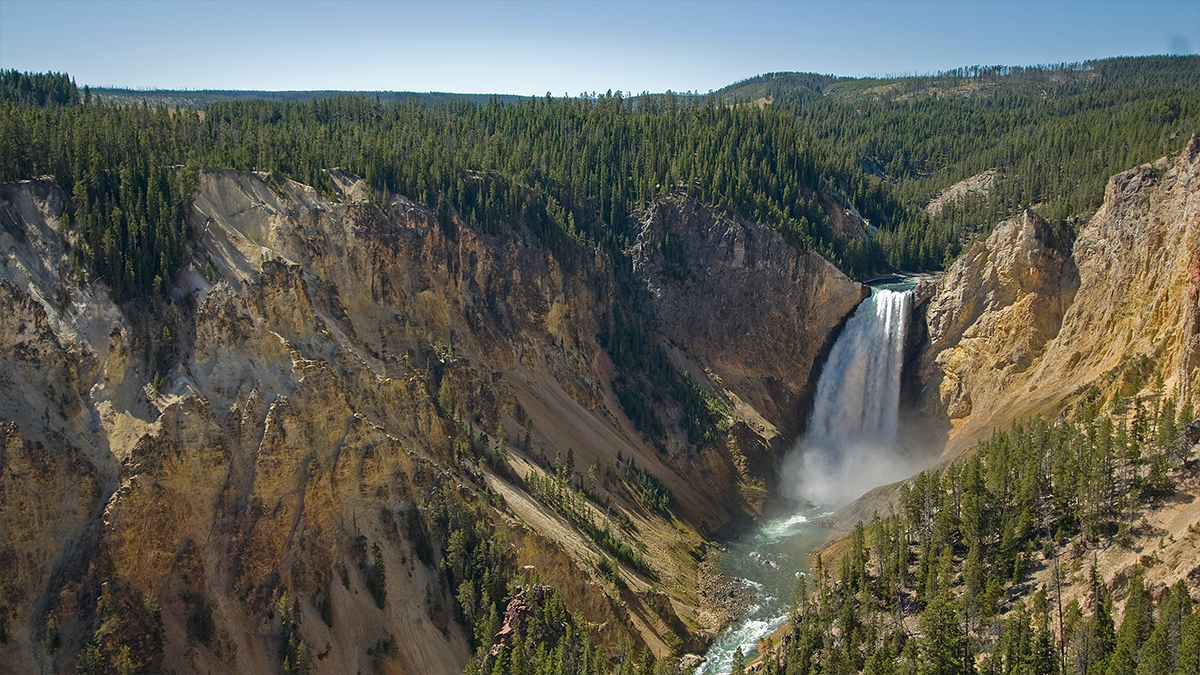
x=339 y=373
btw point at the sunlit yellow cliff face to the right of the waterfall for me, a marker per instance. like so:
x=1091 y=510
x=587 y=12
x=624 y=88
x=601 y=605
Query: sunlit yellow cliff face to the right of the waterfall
x=1017 y=326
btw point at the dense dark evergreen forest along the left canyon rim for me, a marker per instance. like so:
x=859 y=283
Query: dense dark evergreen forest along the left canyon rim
x=575 y=170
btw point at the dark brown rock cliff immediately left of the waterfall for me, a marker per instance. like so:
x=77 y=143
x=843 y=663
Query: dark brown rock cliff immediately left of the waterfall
x=751 y=310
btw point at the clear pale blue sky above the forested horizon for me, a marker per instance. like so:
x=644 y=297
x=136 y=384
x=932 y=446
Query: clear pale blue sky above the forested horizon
x=563 y=47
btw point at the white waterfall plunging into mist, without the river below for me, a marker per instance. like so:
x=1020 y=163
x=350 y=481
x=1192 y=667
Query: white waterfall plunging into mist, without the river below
x=853 y=444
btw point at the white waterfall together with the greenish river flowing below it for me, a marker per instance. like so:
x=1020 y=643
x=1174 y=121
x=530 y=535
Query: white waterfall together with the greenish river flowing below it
x=853 y=446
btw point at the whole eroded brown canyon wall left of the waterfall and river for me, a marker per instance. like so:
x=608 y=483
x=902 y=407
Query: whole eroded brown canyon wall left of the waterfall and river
x=208 y=491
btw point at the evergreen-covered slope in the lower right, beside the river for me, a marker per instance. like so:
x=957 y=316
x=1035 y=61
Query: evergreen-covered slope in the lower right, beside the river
x=968 y=576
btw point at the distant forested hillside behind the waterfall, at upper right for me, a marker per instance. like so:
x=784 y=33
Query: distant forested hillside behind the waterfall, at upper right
x=1054 y=135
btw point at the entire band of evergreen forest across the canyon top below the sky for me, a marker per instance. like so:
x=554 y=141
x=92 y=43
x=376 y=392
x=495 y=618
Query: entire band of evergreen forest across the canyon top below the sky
x=578 y=169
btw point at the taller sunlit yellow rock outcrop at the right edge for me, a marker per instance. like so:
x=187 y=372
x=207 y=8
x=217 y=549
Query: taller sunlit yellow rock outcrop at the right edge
x=1139 y=267
